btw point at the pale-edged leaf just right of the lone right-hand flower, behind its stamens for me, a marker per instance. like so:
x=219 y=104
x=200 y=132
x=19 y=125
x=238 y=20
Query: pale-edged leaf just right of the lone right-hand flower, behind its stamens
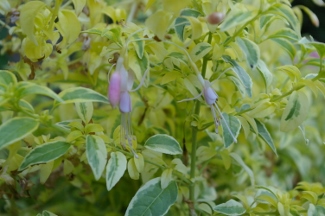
x=234 y=125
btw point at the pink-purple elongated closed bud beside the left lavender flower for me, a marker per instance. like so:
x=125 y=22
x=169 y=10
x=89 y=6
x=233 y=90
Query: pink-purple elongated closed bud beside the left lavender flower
x=114 y=89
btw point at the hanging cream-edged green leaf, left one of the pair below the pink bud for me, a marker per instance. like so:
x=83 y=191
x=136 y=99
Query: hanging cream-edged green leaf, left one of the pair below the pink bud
x=96 y=154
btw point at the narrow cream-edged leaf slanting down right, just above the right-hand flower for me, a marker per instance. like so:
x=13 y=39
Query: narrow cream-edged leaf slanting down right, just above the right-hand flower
x=245 y=79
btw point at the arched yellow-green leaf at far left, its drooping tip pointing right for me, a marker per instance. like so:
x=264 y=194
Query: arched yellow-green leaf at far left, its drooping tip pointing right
x=28 y=88
